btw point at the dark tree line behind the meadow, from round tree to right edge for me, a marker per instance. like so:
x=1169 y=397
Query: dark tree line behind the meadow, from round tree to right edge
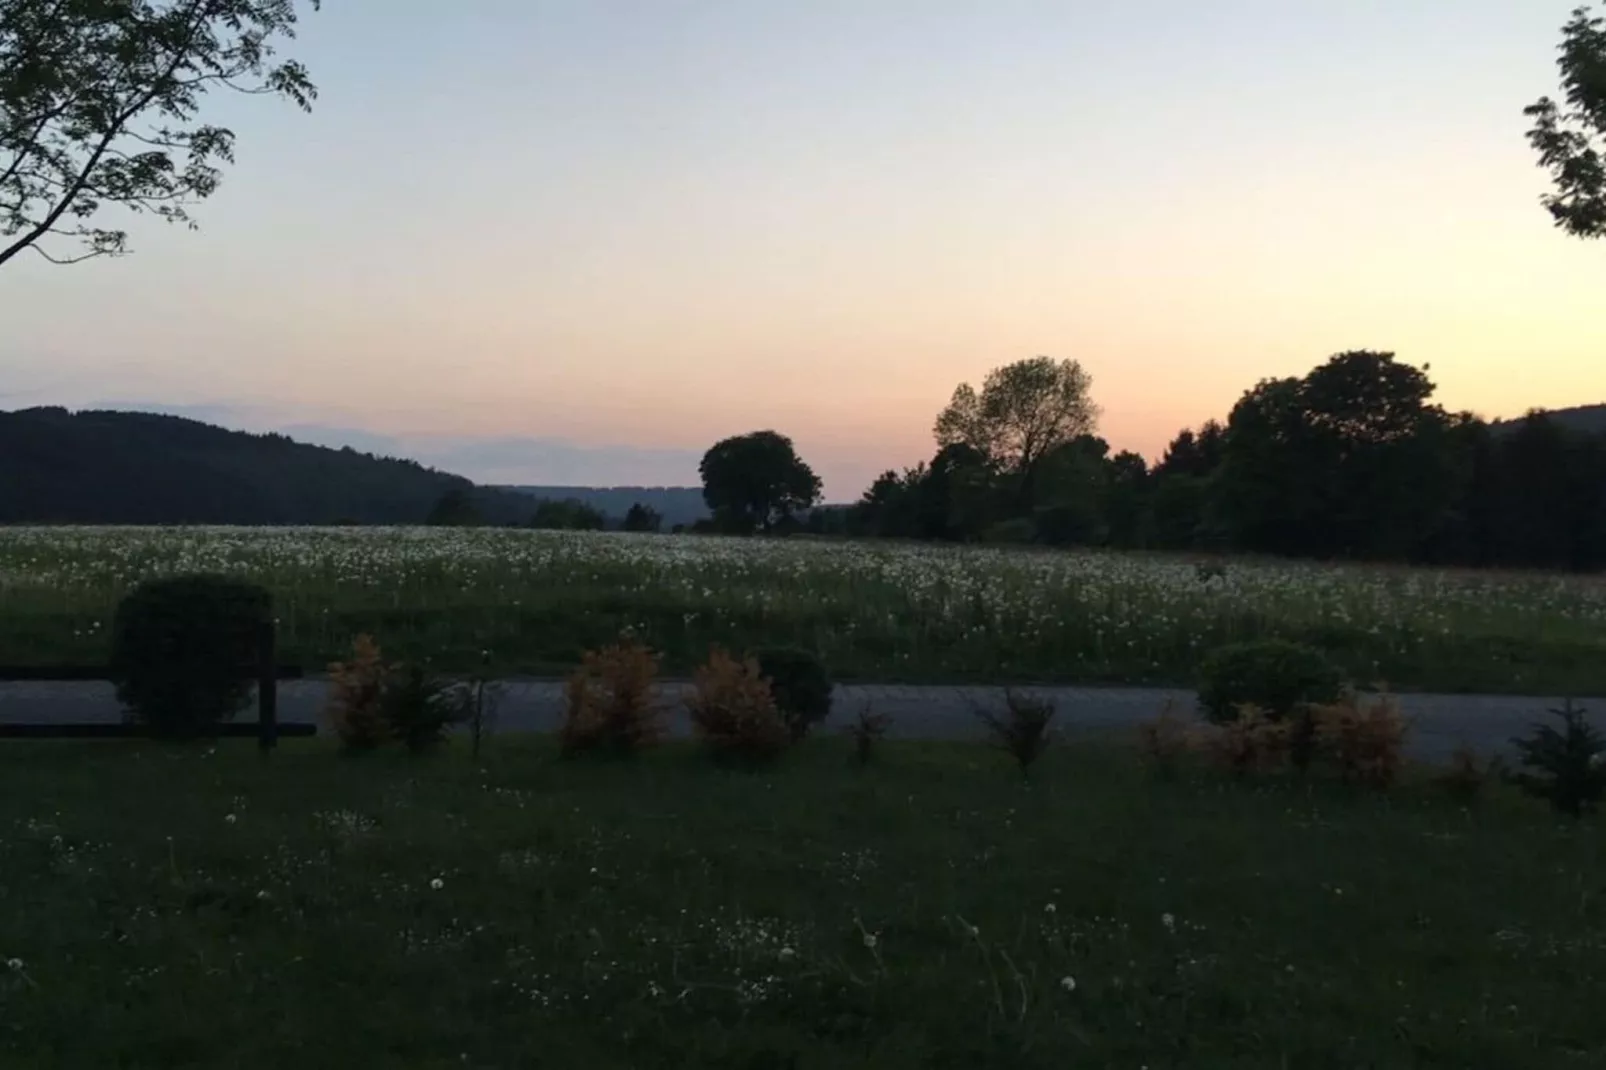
x=1350 y=462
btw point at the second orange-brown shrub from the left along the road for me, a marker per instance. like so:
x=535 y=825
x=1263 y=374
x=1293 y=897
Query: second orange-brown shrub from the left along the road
x=611 y=706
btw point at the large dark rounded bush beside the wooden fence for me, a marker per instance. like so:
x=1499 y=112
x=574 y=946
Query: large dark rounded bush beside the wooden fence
x=185 y=651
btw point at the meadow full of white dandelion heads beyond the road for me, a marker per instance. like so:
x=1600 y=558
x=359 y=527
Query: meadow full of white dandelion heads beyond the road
x=534 y=602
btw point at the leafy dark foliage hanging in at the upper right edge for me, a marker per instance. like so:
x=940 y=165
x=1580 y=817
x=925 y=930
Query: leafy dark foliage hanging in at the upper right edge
x=1571 y=137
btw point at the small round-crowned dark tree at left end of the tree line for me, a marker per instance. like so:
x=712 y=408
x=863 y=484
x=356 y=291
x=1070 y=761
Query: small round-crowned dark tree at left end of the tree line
x=756 y=481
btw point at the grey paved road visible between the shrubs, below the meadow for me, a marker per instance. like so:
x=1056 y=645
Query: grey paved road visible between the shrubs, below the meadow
x=1440 y=724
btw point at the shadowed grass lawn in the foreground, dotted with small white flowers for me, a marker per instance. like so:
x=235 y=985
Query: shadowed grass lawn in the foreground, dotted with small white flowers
x=194 y=909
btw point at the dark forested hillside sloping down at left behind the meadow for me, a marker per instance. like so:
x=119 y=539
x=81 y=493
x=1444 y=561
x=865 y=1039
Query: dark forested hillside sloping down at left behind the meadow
x=142 y=468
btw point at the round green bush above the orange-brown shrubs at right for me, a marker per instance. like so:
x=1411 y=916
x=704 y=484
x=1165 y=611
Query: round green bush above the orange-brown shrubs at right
x=1274 y=676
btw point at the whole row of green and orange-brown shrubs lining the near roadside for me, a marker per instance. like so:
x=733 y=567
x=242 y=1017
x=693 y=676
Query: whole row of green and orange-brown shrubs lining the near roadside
x=185 y=655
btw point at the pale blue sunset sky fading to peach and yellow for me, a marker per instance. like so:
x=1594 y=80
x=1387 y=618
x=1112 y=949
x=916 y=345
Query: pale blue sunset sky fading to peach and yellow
x=577 y=242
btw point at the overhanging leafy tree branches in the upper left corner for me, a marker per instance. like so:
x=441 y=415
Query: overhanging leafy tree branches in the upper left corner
x=99 y=102
